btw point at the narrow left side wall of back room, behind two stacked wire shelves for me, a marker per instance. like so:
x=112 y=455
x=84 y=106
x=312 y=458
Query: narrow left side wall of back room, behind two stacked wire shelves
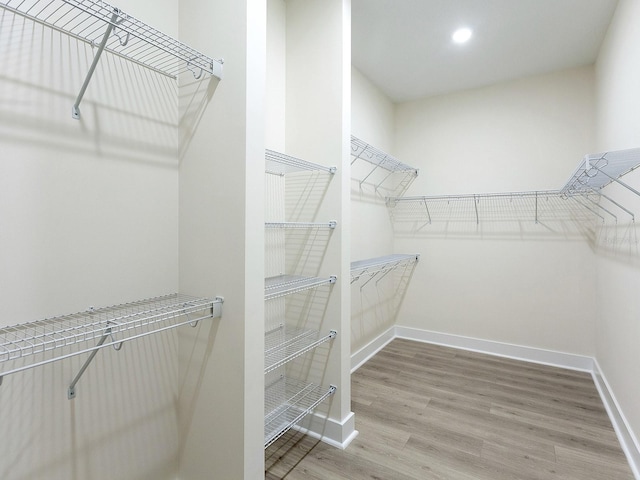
x=374 y=304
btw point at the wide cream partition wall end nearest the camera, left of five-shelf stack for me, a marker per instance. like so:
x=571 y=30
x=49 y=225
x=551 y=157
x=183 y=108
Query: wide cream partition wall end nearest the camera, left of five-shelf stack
x=221 y=242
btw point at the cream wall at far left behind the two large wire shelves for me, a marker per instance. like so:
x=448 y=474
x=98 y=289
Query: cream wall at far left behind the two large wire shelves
x=89 y=217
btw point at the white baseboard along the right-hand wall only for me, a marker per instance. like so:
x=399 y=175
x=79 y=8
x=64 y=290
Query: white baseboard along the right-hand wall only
x=628 y=441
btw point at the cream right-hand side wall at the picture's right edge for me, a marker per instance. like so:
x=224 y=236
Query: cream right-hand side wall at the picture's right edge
x=618 y=264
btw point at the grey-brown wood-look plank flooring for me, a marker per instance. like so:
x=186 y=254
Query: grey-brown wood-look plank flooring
x=430 y=412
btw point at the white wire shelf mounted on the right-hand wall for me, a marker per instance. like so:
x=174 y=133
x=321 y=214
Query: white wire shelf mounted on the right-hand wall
x=597 y=170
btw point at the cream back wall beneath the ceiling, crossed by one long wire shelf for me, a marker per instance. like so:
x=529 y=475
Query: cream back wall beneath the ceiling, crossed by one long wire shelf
x=522 y=284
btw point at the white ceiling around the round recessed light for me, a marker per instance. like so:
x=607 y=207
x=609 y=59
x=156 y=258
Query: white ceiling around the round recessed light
x=404 y=46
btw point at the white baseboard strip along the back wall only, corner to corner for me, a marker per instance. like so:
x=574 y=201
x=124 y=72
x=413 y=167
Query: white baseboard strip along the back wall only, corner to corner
x=517 y=352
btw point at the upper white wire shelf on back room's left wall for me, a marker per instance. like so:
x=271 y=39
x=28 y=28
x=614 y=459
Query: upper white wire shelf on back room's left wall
x=385 y=172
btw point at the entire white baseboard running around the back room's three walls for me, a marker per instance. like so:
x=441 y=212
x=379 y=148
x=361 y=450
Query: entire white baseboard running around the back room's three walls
x=627 y=439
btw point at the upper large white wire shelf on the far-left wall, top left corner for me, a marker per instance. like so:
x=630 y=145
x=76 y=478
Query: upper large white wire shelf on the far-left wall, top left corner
x=86 y=20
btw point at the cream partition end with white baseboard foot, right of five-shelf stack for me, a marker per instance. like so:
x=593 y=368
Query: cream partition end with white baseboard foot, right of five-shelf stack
x=317 y=129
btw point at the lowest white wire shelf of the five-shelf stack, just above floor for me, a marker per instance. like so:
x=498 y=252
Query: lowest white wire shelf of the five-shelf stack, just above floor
x=287 y=402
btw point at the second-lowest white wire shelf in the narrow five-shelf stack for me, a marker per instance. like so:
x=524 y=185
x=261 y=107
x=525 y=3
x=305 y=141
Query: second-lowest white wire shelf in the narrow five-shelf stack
x=284 y=344
